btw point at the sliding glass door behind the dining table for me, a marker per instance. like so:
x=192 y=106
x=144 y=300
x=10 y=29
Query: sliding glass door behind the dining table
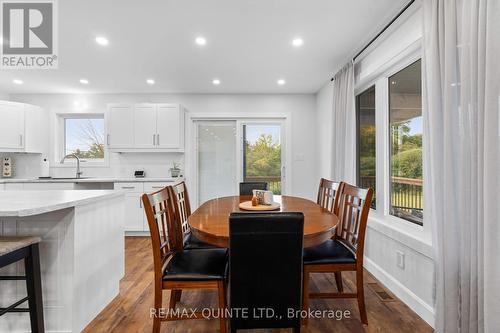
x=231 y=151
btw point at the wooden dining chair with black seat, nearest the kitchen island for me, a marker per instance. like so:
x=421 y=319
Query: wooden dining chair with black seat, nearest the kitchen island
x=176 y=268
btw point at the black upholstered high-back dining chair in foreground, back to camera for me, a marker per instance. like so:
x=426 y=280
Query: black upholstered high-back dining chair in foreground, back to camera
x=265 y=269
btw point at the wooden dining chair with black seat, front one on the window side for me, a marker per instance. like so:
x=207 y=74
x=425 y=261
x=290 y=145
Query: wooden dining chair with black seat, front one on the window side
x=345 y=251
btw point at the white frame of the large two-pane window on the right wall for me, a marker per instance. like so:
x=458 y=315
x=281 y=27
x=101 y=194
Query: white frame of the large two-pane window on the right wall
x=381 y=219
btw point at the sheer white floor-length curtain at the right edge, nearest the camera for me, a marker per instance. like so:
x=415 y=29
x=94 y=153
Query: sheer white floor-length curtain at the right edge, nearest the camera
x=461 y=54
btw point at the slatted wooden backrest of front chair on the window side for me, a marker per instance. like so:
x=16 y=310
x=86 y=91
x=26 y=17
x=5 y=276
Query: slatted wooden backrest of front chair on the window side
x=353 y=212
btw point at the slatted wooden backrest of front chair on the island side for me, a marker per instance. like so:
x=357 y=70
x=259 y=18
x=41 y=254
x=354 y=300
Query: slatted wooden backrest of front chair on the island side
x=160 y=215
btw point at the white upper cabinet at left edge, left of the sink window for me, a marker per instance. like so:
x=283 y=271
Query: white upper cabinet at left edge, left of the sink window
x=23 y=128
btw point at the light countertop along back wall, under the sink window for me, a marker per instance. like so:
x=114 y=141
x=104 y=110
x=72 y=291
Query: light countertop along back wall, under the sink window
x=90 y=180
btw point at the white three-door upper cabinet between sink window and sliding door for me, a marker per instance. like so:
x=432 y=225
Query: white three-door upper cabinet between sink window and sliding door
x=152 y=127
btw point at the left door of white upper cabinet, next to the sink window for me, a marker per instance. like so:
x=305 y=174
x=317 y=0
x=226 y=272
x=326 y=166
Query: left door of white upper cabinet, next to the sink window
x=119 y=121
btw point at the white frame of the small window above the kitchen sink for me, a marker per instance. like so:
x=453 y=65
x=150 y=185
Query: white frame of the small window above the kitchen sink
x=61 y=142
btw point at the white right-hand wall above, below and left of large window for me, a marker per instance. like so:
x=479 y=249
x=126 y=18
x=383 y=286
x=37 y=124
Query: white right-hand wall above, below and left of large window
x=414 y=283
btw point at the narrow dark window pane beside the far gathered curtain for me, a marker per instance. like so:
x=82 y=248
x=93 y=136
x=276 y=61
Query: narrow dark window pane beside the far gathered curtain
x=365 y=105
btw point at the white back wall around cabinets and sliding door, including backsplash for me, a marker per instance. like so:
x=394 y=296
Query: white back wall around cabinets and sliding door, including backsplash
x=301 y=109
